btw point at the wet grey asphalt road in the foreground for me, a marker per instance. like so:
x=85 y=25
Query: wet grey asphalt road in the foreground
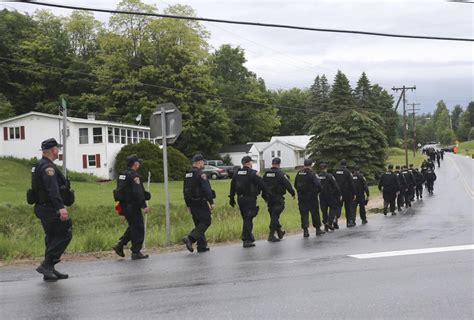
x=294 y=279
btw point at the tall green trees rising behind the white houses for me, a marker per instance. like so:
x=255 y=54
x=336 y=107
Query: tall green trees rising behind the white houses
x=129 y=65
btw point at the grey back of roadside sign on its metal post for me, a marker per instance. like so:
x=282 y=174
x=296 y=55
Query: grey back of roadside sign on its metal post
x=166 y=124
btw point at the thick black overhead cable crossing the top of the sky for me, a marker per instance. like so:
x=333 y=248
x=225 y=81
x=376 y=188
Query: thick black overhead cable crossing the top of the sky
x=249 y=23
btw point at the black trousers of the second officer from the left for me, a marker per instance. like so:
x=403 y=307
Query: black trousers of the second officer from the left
x=135 y=231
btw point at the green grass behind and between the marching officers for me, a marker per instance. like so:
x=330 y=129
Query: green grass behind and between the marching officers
x=96 y=227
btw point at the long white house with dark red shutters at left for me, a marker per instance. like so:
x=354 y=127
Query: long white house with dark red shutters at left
x=92 y=145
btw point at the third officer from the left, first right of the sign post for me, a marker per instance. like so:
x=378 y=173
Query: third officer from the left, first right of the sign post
x=199 y=199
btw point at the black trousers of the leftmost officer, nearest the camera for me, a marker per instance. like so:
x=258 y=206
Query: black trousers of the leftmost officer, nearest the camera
x=58 y=234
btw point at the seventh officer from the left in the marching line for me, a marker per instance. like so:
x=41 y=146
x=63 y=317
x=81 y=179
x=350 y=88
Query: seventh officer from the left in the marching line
x=329 y=198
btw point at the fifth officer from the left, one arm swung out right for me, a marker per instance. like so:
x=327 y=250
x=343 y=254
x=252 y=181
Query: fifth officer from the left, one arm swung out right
x=276 y=183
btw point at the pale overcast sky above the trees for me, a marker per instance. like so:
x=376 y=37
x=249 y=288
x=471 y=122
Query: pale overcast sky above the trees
x=290 y=58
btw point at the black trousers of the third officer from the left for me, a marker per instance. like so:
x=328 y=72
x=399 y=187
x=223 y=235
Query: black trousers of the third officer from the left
x=201 y=214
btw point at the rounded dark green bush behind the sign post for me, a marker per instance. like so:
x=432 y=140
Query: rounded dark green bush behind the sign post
x=152 y=157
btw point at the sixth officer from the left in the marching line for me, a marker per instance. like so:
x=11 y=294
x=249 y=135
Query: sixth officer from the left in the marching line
x=308 y=187
